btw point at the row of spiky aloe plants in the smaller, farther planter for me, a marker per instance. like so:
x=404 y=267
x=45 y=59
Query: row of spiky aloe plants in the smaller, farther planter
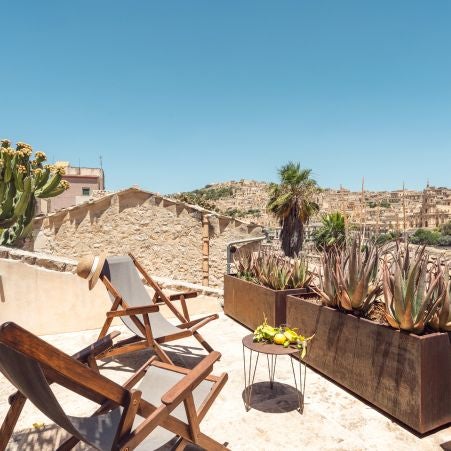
x=272 y=270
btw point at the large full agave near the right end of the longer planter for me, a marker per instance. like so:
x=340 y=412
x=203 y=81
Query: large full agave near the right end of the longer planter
x=411 y=290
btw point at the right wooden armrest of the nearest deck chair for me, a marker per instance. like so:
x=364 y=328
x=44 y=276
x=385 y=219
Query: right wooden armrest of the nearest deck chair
x=189 y=382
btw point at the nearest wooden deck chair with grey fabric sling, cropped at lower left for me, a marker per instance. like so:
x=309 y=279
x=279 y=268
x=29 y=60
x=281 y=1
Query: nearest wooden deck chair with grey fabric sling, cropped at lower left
x=159 y=402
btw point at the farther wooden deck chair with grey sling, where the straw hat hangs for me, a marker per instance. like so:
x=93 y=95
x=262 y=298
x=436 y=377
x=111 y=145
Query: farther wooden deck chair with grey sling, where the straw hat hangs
x=140 y=313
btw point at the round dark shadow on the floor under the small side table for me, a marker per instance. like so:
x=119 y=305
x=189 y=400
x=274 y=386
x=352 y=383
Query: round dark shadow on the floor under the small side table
x=281 y=398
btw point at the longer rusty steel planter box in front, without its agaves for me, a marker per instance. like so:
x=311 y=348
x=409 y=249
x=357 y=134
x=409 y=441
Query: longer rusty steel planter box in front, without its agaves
x=406 y=375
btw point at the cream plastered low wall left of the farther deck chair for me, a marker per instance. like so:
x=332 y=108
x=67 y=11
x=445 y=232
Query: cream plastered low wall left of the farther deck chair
x=44 y=295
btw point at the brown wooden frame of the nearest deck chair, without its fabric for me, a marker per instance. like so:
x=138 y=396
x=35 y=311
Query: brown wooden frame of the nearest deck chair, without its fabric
x=72 y=373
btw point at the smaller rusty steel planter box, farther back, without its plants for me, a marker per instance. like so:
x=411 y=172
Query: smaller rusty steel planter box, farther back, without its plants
x=249 y=303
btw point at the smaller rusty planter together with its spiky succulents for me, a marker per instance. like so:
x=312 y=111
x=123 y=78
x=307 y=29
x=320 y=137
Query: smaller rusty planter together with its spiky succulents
x=261 y=285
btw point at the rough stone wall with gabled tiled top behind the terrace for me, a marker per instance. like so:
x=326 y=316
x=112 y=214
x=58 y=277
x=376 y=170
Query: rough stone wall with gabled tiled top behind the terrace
x=164 y=234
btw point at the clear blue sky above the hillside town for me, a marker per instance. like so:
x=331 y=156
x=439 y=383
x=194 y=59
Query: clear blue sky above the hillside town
x=178 y=94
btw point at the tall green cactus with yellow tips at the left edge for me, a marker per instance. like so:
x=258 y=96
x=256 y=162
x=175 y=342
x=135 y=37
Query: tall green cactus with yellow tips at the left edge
x=22 y=180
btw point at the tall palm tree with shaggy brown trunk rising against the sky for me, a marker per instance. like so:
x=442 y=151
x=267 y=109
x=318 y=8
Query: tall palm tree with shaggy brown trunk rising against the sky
x=292 y=202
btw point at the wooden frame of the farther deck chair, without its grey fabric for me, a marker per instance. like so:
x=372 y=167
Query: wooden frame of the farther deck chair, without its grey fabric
x=121 y=308
